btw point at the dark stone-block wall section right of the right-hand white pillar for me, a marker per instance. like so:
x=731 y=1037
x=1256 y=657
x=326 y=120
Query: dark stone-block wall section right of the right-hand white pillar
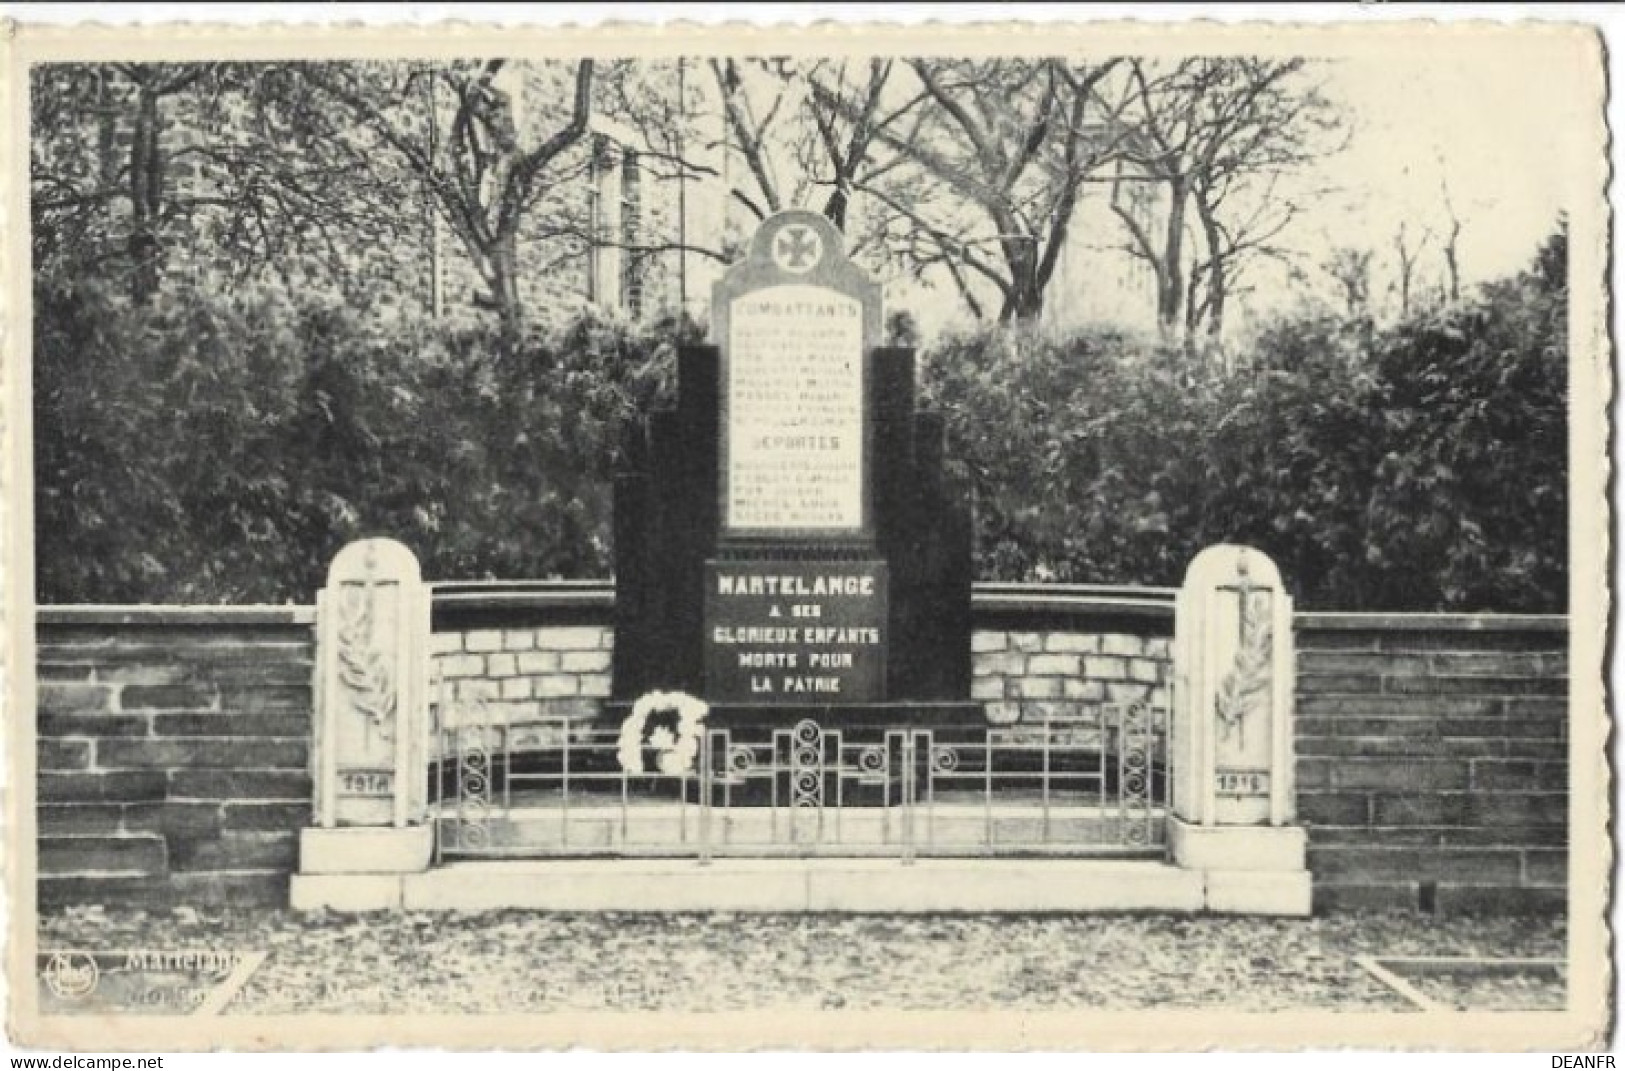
x=1432 y=761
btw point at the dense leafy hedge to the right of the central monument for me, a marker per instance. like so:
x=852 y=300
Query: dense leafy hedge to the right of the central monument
x=1418 y=467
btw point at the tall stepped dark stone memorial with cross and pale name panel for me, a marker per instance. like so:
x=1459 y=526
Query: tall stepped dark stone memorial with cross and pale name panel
x=786 y=537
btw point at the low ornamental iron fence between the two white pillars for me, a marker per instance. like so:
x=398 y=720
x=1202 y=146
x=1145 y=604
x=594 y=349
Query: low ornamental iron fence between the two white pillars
x=1090 y=784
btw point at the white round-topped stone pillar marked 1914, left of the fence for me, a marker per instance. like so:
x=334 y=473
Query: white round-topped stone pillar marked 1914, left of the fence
x=371 y=732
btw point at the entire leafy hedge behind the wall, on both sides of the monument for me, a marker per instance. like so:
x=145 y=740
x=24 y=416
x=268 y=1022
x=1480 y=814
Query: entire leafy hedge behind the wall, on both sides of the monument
x=222 y=449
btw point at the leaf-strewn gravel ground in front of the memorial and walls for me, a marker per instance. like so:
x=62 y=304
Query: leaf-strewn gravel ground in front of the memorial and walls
x=527 y=961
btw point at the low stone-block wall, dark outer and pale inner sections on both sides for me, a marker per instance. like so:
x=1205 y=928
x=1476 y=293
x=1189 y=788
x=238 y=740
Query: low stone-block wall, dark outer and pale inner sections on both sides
x=173 y=745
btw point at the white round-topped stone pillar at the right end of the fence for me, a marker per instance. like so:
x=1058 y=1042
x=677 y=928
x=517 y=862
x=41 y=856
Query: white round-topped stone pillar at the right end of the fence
x=1233 y=735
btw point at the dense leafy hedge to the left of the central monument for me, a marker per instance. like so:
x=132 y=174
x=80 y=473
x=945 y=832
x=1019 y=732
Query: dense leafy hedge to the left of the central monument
x=223 y=449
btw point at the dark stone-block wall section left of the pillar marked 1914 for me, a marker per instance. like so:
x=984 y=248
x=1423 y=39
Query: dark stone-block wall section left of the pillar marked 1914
x=173 y=753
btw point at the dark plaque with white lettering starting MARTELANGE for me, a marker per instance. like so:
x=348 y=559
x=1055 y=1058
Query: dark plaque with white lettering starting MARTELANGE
x=795 y=633
